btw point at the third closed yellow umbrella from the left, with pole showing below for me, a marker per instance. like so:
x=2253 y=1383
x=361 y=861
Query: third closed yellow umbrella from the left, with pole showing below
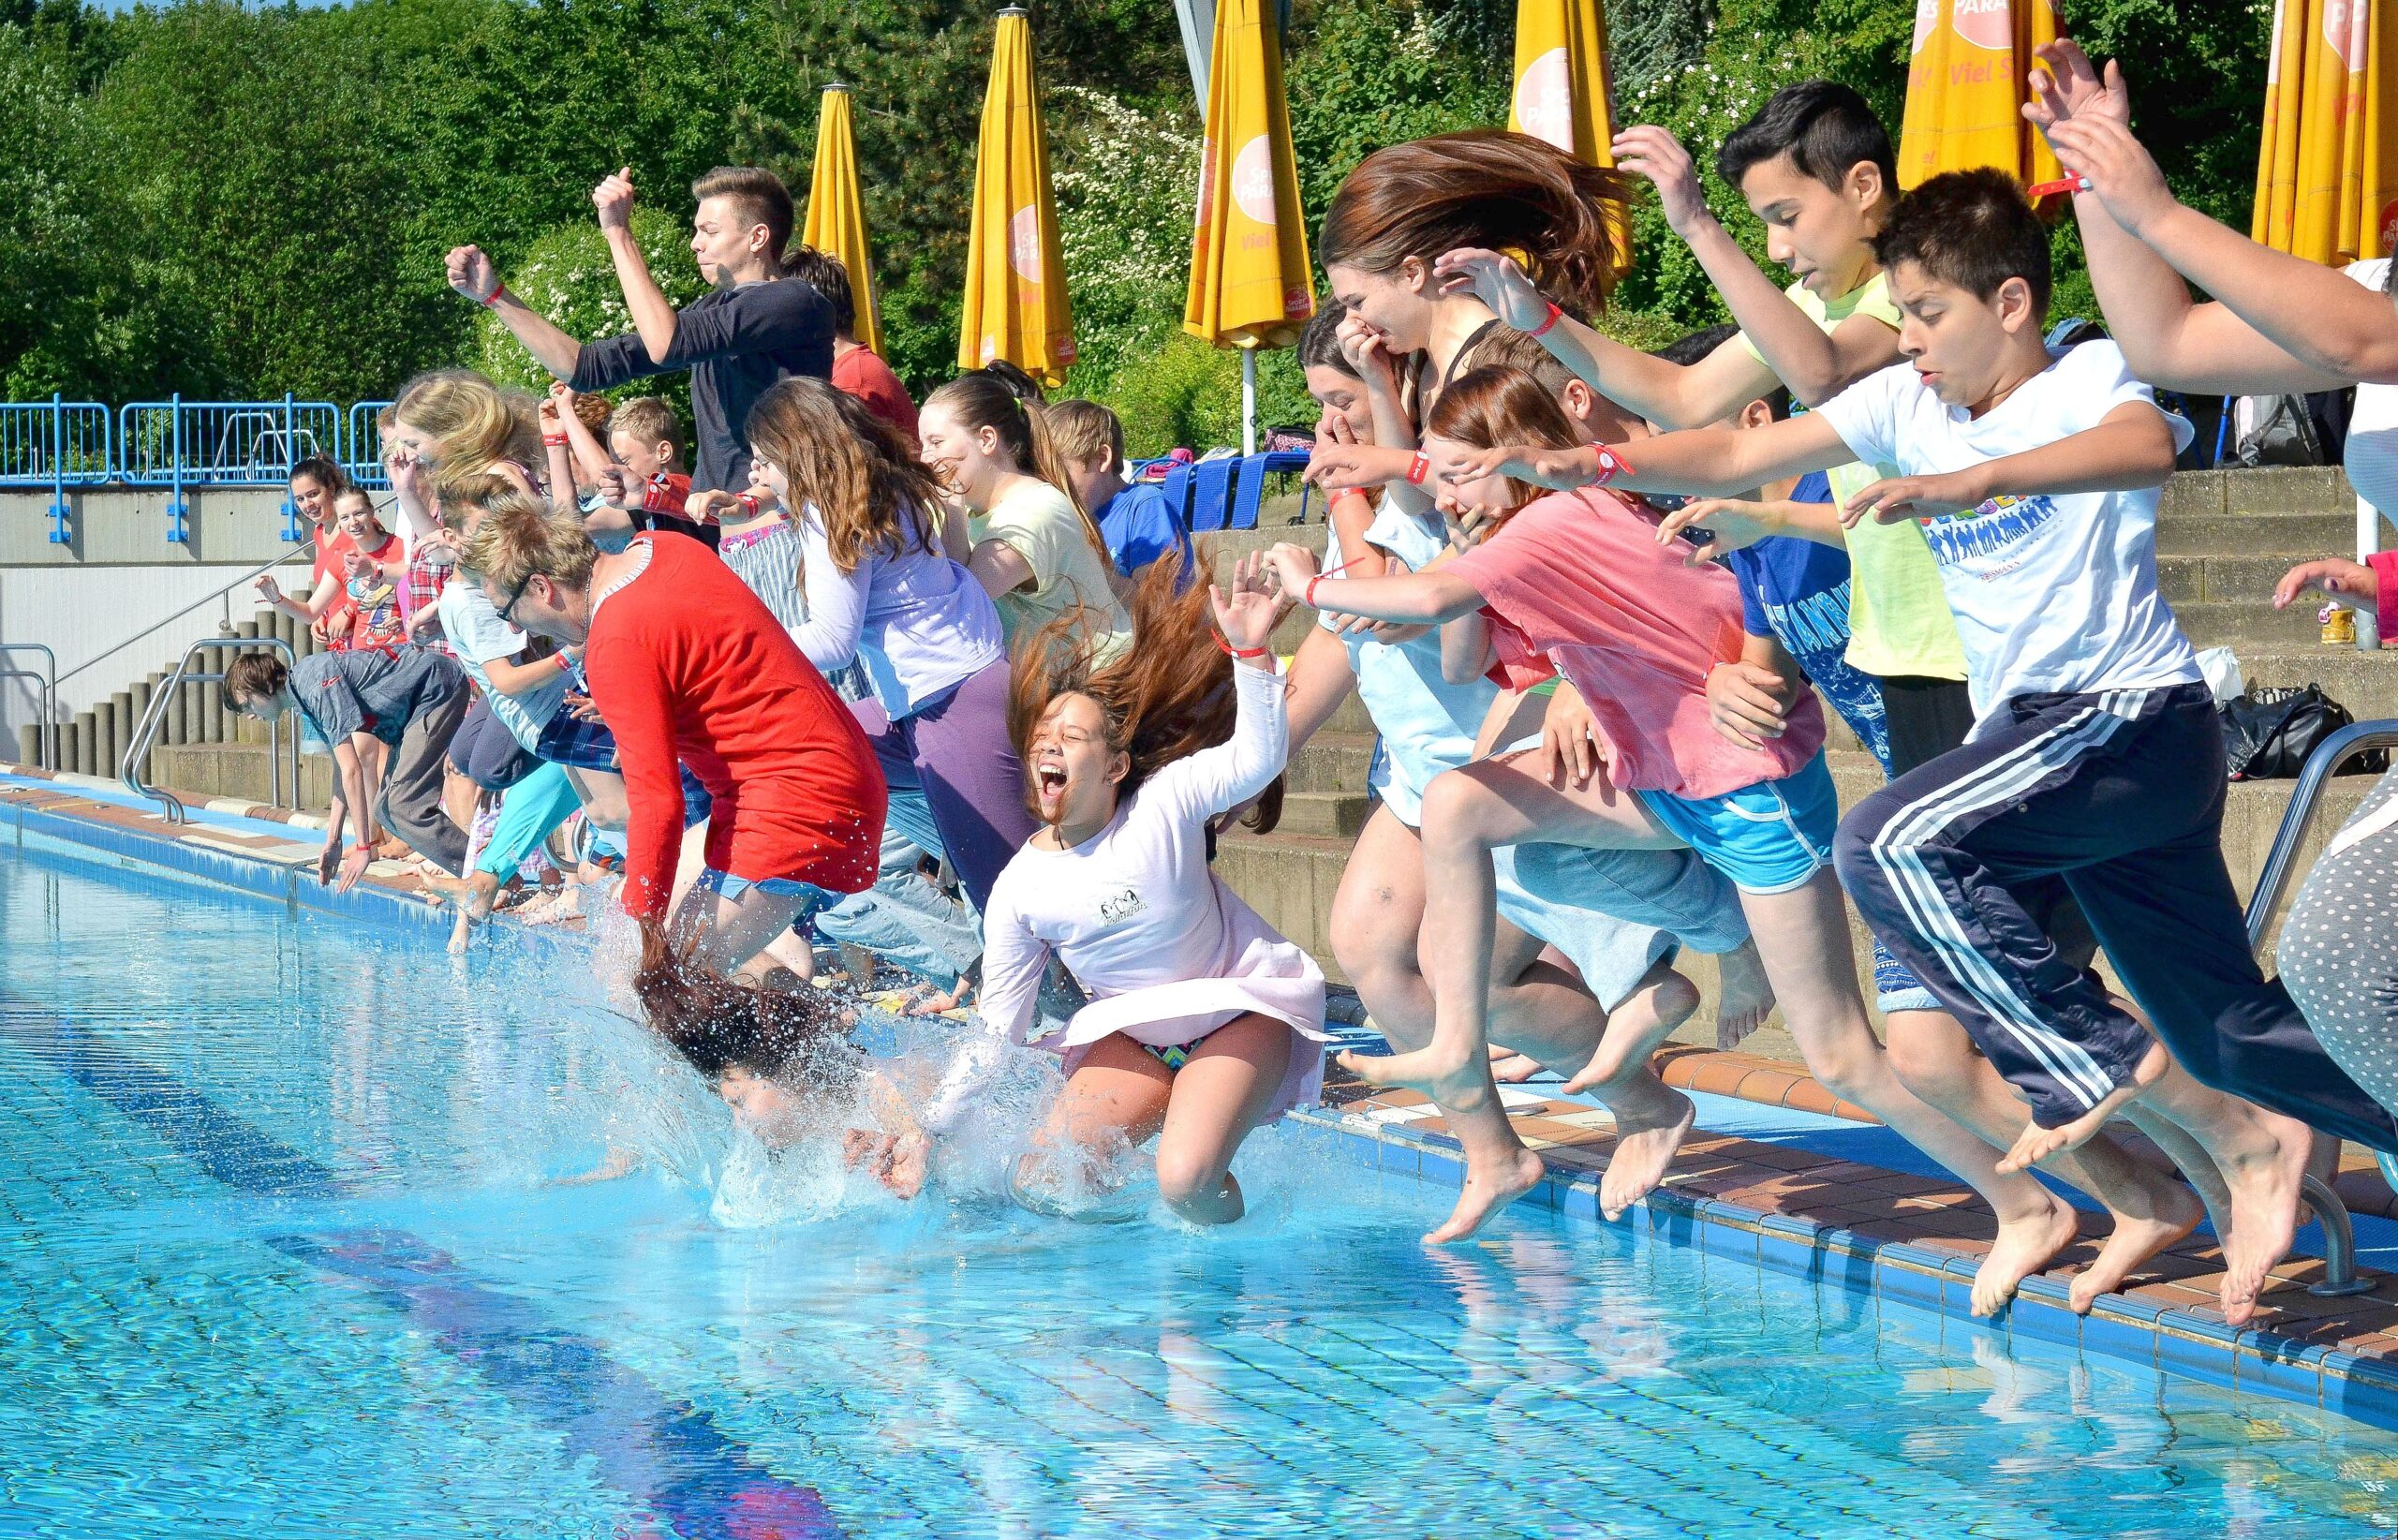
x=1251 y=275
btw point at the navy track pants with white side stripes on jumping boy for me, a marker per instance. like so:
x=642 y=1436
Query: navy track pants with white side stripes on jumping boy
x=2123 y=798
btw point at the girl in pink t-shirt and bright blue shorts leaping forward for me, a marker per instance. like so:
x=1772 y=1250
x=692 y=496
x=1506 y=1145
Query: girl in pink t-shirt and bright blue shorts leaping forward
x=1577 y=582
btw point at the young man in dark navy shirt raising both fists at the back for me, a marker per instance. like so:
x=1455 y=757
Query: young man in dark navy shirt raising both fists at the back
x=740 y=339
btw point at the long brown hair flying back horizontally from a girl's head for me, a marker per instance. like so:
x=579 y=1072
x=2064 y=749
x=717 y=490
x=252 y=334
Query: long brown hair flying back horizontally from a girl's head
x=1486 y=188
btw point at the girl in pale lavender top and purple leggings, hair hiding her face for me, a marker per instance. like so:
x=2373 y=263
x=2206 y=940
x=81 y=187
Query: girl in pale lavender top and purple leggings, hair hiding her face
x=884 y=594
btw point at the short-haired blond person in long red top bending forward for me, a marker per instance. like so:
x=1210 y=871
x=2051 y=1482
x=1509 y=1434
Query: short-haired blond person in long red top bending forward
x=687 y=666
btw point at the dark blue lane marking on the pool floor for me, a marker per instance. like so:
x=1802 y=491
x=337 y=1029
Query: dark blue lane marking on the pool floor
x=665 y=1455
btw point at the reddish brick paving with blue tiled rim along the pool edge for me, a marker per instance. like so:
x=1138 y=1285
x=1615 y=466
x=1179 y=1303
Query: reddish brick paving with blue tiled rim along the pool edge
x=1773 y=1205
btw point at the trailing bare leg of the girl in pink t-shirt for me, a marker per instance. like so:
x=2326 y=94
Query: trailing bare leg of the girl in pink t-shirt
x=1804 y=939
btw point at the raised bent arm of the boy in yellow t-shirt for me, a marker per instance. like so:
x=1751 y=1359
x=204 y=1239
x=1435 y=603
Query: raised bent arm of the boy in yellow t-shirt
x=1814 y=363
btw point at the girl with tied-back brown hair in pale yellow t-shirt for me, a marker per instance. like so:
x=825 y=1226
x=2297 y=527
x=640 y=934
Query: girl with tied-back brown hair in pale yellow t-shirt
x=1025 y=539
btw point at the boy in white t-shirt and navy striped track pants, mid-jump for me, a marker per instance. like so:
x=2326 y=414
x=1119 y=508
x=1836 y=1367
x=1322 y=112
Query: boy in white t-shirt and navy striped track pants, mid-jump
x=2097 y=752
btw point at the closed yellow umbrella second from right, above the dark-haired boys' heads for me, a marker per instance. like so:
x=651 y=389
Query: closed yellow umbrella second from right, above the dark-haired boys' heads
x=1965 y=90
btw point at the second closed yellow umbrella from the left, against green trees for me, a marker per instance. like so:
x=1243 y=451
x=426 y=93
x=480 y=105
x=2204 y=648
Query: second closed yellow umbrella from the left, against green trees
x=1016 y=270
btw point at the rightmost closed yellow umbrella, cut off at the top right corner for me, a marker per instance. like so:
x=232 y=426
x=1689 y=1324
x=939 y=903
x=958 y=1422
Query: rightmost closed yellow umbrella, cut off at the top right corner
x=2327 y=172
